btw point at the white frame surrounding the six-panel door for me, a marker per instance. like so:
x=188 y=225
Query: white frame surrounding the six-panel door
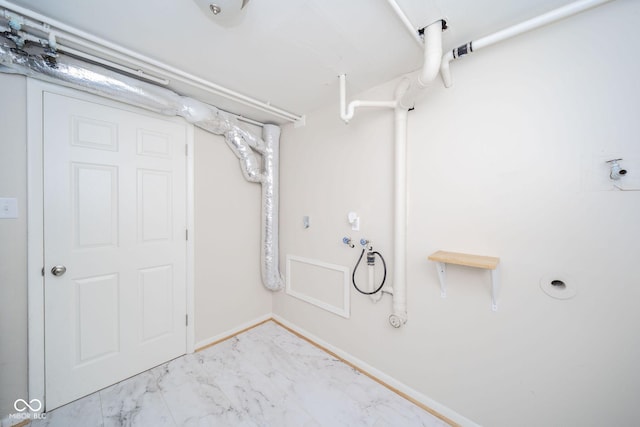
x=35 y=233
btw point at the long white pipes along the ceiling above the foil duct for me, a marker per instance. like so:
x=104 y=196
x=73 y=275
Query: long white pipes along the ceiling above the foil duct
x=66 y=32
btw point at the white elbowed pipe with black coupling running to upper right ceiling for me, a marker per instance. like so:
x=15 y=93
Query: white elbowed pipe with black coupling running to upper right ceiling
x=528 y=25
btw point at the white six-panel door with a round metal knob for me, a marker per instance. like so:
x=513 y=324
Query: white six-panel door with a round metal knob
x=115 y=219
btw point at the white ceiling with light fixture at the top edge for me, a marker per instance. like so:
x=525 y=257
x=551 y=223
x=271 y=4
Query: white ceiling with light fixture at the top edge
x=286 y=52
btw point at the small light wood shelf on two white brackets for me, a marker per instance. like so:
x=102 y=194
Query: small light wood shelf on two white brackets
x=442 y=258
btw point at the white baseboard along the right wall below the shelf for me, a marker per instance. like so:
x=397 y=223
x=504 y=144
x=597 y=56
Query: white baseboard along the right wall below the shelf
x=387 y=379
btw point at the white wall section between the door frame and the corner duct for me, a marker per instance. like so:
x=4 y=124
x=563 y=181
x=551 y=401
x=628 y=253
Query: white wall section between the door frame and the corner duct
x=229 y=290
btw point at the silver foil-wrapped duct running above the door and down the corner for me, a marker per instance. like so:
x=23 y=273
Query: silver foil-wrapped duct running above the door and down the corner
x=36 y=62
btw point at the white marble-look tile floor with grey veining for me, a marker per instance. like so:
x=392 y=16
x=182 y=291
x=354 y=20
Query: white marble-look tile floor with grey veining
x=266 y=376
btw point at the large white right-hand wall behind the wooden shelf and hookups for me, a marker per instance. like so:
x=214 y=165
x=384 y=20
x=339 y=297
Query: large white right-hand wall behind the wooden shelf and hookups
x=508 y=162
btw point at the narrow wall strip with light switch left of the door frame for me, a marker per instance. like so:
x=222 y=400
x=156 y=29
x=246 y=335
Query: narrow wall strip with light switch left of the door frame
x=13 y=244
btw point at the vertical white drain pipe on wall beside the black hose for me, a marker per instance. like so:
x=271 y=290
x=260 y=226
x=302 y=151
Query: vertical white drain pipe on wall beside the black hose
x=399 y=316
